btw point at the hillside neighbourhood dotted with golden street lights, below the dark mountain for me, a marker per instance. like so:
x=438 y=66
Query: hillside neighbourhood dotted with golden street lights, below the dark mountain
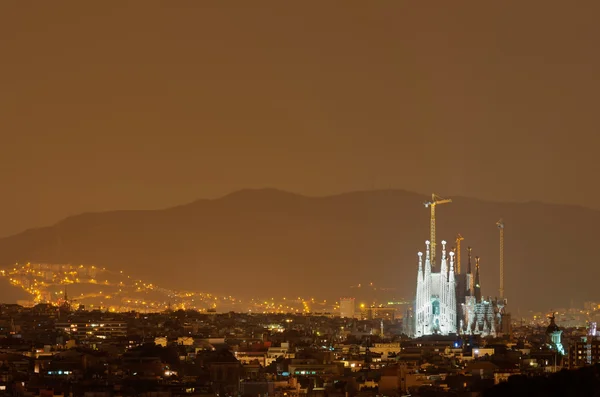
x=100 y=288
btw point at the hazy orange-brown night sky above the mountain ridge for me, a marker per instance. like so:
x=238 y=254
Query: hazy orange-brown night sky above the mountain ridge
x=148 y=104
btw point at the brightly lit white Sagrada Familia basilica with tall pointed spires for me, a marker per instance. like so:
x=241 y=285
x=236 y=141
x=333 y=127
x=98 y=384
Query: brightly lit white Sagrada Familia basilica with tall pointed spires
x=449 y=303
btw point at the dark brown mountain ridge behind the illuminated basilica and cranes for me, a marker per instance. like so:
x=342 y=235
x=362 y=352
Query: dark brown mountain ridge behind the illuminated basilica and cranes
x=269 y=242
